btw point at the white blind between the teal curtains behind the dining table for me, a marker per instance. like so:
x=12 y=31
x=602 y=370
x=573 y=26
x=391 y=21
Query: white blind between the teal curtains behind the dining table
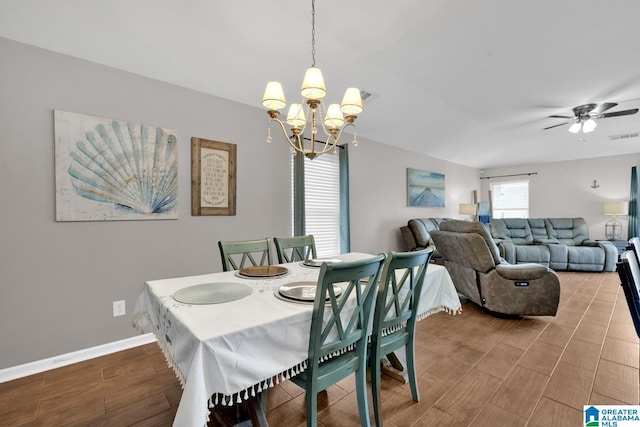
x=322 y=203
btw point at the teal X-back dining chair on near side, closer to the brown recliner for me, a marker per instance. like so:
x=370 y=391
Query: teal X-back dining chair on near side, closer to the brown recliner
x=394 y=318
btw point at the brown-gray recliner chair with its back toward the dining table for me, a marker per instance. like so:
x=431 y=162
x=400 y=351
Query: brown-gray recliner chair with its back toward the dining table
x=478 y=272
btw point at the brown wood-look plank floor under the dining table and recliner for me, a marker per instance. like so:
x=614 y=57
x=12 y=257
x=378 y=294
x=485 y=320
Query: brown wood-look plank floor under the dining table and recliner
x=474 y=369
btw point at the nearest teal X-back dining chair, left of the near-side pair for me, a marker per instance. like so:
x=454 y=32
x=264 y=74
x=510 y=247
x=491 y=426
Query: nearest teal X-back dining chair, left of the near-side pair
x=339 y=332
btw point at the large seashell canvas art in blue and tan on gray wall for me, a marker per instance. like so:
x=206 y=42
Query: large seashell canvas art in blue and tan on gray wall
x=114 y=170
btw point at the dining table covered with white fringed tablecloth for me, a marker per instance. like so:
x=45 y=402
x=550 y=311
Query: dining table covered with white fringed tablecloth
x=231 y=345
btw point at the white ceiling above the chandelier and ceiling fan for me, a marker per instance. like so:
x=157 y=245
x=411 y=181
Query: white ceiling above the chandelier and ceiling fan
x=467 y=81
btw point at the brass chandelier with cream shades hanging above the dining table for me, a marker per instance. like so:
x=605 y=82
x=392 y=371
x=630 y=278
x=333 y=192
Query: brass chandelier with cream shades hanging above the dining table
x=332 y=120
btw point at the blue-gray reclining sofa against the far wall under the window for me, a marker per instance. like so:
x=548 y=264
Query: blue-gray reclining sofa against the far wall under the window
x=558 y=243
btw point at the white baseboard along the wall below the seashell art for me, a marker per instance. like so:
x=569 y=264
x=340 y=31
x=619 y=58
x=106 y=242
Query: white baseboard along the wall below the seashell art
x=38 y=366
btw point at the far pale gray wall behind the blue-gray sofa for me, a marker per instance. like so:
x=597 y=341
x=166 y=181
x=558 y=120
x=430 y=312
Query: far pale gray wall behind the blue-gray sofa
x=563 y=189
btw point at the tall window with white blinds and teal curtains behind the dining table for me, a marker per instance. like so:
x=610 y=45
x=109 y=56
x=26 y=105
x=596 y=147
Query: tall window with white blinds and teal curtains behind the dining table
x=320 y=201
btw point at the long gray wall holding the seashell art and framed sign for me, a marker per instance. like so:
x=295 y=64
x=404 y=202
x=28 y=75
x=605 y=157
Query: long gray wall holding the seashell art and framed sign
x=58 y=279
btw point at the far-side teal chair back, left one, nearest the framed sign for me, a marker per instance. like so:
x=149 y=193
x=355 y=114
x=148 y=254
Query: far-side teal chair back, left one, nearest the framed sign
x=237 y=254
